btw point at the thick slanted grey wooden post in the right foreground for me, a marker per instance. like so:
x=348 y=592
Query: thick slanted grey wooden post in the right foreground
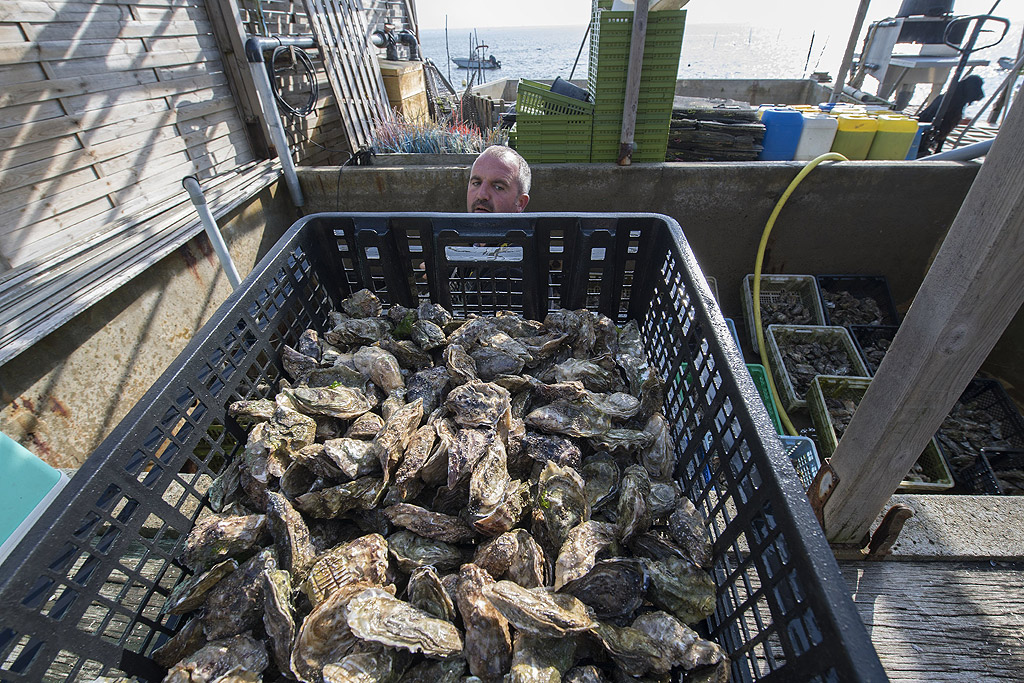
x=970 y=294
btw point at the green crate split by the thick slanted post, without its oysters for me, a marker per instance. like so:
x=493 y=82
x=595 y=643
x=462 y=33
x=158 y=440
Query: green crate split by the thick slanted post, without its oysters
x=854 y=389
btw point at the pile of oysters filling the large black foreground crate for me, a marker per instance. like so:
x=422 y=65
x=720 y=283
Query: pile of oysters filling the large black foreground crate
x=433 y=501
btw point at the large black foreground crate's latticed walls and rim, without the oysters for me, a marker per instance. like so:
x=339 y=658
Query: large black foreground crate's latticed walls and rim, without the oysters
x=81 y=596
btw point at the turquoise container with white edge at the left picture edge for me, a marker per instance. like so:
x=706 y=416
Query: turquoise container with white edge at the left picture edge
x=27 y=488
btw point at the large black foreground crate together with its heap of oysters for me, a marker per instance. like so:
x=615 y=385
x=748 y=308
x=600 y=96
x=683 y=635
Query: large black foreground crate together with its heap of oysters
x=318 y=486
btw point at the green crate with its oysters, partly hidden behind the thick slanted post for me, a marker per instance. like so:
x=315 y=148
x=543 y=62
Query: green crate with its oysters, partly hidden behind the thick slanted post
x=833 y=401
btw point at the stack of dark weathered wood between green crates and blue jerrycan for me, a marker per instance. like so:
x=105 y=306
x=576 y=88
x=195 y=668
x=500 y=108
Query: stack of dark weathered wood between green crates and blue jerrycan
x=705 y=130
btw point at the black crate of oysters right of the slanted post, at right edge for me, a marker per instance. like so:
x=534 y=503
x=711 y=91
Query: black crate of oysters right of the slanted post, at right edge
x=984 y=417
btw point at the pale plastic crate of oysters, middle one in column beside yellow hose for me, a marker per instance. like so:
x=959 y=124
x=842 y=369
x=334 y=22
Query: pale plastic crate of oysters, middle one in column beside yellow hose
x=799 y=354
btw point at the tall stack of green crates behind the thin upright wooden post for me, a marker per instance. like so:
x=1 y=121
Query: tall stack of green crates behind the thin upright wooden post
x=612 y=34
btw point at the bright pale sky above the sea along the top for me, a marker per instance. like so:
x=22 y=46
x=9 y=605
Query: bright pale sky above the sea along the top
x=825 y=15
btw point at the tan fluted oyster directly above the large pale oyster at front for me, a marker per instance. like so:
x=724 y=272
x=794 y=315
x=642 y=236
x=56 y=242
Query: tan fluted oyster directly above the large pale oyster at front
x=364 y=561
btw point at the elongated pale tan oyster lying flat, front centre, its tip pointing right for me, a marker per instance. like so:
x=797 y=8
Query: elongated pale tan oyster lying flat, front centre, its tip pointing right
x=539 y=612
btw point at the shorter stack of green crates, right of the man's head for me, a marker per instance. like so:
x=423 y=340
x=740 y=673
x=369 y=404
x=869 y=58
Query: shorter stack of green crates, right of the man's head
x=551 y=129
